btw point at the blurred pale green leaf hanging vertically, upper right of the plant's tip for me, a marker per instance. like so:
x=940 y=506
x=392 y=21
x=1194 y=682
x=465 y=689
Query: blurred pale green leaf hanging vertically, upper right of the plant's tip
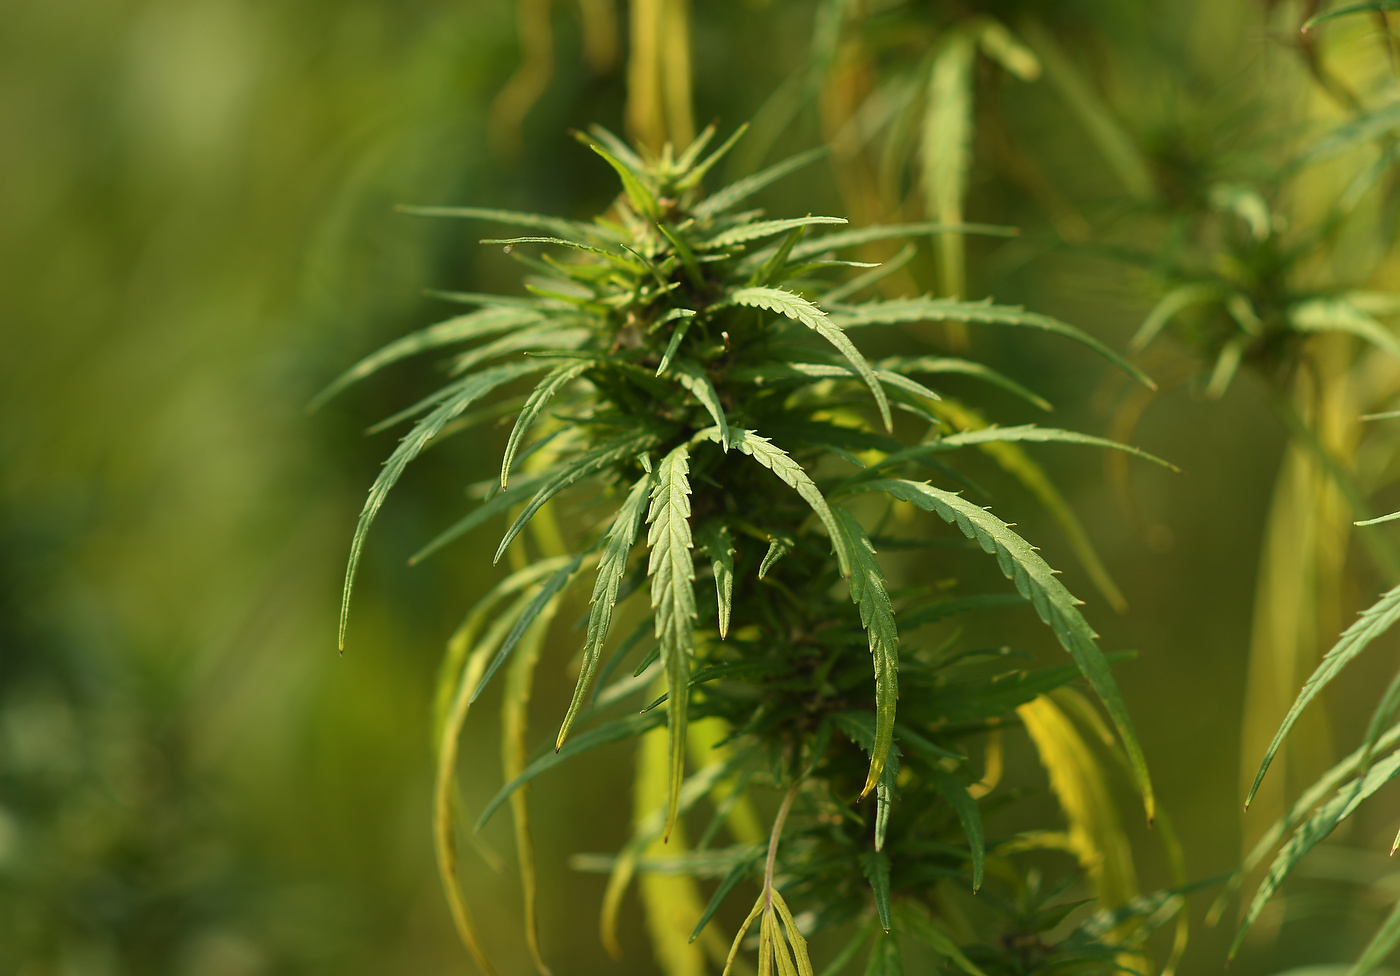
x=947 y=149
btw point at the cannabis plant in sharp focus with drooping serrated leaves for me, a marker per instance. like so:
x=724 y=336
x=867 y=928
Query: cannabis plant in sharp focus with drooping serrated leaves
x=701 y=440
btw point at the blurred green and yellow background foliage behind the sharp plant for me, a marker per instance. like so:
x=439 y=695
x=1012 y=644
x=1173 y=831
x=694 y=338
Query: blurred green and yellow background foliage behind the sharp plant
x=198 y=235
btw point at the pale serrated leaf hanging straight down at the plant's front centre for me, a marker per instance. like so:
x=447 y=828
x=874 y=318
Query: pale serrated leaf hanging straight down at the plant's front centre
x=674 y=603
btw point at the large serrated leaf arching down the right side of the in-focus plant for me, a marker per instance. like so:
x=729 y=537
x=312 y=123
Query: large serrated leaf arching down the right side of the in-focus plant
x=1035 y=580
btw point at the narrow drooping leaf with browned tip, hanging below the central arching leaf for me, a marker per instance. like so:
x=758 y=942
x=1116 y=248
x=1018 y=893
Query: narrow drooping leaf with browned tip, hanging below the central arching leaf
x=867 y=585
